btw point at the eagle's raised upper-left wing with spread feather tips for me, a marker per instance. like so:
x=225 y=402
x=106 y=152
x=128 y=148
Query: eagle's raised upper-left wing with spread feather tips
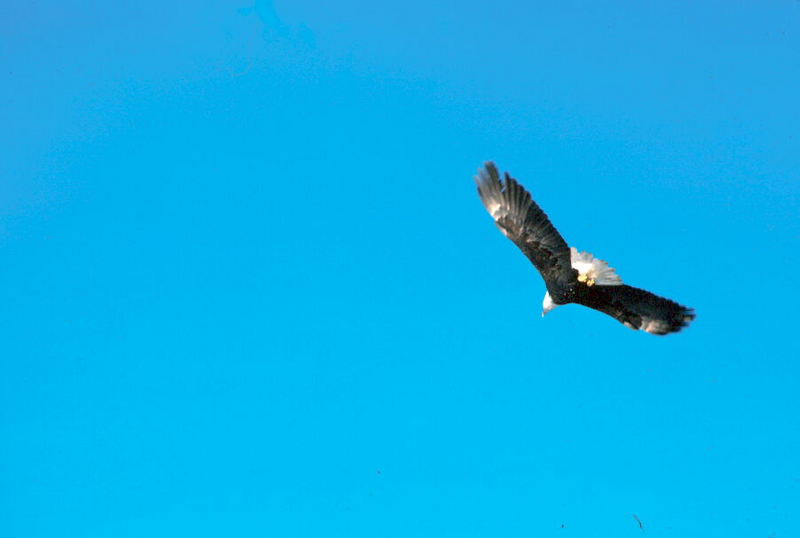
x=524 y=222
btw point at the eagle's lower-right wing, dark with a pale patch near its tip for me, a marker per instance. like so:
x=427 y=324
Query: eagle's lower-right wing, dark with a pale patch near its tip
x=637 y=309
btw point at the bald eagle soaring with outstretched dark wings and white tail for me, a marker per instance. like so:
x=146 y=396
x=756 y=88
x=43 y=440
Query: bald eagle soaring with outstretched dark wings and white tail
x=572 y=276
